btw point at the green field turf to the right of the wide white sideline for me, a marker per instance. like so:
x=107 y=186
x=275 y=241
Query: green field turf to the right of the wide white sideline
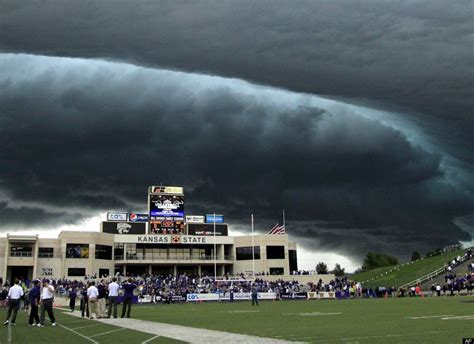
x=362 y=321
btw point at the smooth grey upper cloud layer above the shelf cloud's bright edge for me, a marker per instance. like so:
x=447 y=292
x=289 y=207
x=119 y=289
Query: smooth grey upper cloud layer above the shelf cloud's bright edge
x=417 y=55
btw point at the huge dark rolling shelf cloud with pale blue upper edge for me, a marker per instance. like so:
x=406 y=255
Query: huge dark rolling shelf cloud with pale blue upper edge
x=87 y=134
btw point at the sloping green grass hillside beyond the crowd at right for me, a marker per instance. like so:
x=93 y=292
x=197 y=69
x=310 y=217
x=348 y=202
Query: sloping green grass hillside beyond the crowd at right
x=398 y=275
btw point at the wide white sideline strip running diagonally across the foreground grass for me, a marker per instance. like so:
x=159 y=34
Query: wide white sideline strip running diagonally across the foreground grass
x=184 y=333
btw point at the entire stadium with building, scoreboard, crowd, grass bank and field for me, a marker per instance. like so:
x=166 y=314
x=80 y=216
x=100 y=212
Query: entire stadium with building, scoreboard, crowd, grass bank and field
x=184 y=279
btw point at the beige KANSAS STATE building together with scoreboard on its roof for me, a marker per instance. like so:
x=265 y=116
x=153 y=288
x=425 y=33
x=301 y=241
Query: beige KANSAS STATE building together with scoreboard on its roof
x=164 y=240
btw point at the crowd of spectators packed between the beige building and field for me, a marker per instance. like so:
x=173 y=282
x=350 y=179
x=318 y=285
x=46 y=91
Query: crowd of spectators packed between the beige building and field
x=166 y=286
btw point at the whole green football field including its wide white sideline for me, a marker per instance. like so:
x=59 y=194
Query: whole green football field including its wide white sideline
x=406 y=320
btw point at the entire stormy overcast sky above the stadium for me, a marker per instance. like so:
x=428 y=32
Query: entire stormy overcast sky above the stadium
x=356 y=117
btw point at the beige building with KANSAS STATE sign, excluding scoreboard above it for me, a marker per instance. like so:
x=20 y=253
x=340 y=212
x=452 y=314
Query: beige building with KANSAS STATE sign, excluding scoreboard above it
x=75 y=254
